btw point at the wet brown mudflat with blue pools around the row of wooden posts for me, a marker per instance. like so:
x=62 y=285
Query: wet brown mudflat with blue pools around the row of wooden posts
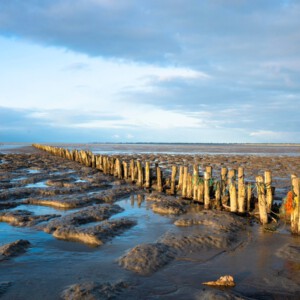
x=157 y=256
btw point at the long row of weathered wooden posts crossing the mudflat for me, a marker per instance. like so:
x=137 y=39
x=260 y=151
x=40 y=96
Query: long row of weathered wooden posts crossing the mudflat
x=230 y=186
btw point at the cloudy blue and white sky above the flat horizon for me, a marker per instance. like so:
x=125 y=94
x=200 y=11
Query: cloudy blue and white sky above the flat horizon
x=209 y=71
